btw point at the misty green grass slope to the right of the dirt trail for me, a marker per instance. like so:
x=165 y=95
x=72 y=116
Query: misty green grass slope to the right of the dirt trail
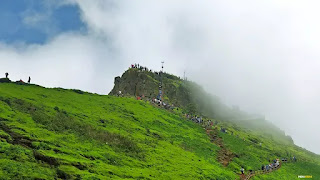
x=254 y=148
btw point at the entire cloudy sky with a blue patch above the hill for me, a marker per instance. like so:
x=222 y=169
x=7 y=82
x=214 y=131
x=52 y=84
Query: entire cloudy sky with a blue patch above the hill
x=260 y=55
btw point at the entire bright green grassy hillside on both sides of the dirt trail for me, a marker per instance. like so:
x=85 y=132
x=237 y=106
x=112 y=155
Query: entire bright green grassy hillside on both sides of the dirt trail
x=70 y=134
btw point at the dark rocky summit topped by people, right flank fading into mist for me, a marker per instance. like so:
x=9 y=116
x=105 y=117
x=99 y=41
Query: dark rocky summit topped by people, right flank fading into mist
x=140 y=82
